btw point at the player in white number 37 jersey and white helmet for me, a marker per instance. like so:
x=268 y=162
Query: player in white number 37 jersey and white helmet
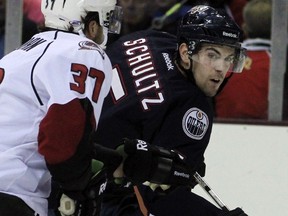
x=51 y=94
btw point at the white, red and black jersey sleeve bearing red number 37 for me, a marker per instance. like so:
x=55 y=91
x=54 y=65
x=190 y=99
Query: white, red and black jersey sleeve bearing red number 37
x=71 y=85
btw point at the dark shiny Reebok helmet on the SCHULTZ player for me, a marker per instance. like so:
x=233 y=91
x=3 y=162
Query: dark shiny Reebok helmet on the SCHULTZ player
x=204 y=24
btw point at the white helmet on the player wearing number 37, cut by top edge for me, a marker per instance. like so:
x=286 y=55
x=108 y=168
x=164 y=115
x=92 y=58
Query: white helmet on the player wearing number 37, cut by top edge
x=69 y=14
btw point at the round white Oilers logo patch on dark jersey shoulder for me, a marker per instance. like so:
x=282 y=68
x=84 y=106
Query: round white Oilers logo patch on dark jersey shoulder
x=195 y=123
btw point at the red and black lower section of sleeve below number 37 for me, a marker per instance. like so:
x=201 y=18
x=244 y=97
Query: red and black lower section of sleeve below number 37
x=64 y=141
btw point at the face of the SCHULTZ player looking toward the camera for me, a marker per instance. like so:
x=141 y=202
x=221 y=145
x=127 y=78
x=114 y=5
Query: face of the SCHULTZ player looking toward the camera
x=210 y=66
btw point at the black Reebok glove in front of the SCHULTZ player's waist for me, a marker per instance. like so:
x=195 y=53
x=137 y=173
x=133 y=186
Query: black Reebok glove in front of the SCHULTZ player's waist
x=145 y=162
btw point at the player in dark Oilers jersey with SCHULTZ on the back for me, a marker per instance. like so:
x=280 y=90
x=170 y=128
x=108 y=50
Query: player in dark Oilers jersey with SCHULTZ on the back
x=160 y=93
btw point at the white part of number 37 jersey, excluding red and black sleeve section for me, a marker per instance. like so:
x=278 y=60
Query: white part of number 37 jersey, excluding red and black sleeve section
x=54 y=67
